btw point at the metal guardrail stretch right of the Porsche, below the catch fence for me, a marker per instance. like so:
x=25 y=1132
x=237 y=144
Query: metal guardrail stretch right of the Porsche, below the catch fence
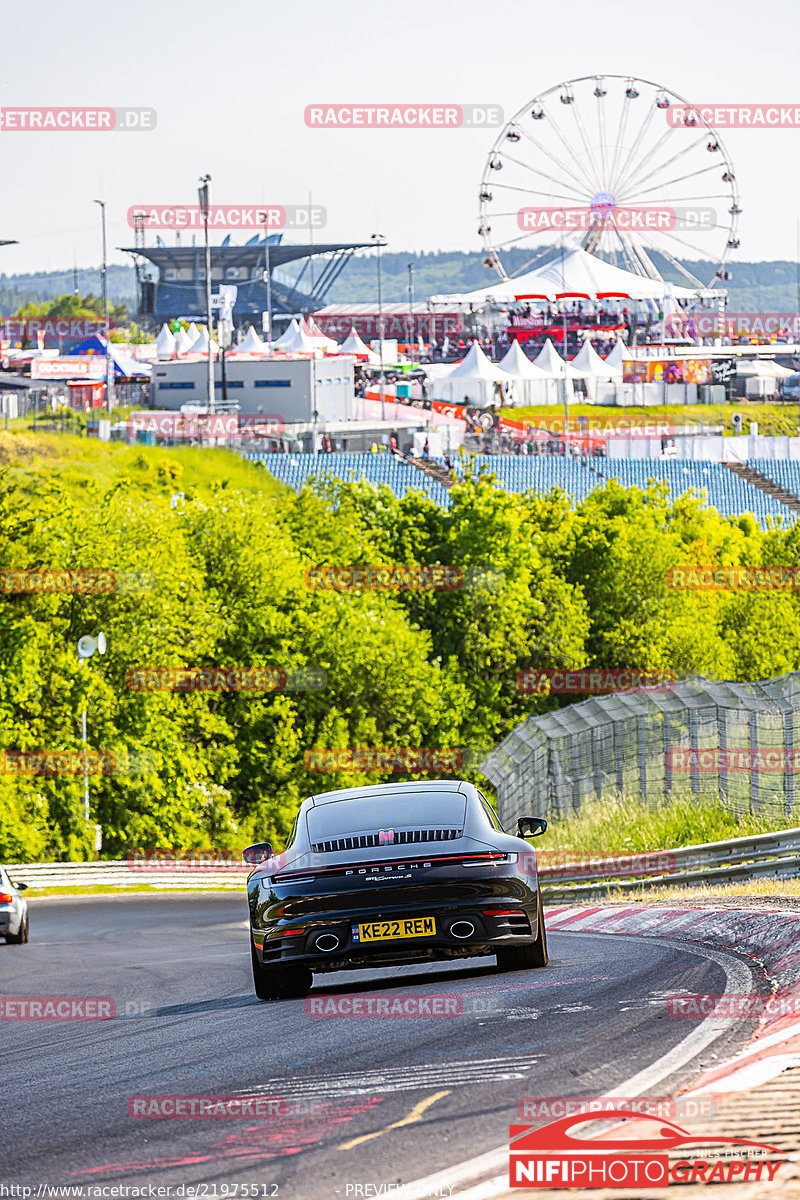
x=741 y=860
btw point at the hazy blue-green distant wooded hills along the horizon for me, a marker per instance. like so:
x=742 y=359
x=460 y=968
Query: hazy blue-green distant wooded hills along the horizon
x=755 y=287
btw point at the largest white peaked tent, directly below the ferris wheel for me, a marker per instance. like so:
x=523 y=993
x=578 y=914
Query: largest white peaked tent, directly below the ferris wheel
x=574 y=274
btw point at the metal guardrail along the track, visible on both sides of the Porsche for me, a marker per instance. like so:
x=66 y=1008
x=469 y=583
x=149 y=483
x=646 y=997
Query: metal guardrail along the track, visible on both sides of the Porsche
x=763 y=856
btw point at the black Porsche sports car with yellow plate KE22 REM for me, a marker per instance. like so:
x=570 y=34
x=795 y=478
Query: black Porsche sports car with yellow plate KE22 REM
x=393 y=874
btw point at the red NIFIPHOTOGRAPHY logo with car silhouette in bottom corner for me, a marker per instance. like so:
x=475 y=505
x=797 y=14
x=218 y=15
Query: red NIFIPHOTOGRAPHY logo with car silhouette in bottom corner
x=552 y=1157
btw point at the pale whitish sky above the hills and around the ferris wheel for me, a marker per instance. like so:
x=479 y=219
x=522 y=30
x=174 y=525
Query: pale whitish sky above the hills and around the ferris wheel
x=231 y=85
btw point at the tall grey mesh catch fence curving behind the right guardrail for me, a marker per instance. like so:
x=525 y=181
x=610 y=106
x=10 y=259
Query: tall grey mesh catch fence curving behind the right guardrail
x=735 y=742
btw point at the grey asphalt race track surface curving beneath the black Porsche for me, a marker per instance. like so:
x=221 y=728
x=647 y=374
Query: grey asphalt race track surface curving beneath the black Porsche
x=188 y=1024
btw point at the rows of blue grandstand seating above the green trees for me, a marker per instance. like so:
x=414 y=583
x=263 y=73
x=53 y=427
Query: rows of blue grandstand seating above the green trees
x=727 y=493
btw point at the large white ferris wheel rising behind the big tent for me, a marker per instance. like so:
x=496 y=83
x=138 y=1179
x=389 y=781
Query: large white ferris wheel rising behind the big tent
x=619 y=166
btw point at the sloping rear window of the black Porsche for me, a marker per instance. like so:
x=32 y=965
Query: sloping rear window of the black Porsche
x=369 y=814
